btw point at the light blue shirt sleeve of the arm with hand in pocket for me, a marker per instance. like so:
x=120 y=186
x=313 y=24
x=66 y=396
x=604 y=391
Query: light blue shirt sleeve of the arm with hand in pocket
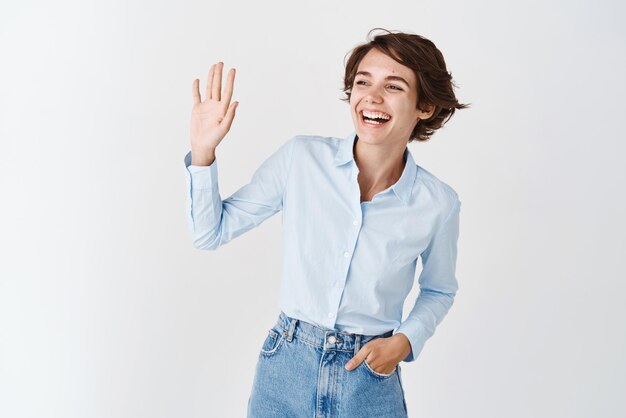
x=438 y=285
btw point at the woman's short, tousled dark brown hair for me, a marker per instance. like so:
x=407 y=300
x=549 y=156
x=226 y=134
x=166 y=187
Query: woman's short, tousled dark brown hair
x=434 y=82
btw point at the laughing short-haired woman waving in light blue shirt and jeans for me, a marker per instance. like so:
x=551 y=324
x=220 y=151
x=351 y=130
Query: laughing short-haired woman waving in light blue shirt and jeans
x=357 y=214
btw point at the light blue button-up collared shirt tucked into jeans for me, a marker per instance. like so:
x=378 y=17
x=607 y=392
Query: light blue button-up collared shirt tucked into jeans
x=347 y=265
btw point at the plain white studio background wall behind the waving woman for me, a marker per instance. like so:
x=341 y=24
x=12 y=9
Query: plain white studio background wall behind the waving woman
x=107 y=310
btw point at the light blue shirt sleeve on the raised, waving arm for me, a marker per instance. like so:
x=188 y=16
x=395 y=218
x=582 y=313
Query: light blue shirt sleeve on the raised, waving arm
x=212 y=221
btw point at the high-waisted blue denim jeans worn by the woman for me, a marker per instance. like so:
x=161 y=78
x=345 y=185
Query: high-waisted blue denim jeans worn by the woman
x=300 y=373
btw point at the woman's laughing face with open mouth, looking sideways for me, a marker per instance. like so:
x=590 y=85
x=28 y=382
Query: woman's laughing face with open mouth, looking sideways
x=381 y=84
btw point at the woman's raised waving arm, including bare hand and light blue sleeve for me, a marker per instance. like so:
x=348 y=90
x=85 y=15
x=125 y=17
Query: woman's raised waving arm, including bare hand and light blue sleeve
x=213 y=221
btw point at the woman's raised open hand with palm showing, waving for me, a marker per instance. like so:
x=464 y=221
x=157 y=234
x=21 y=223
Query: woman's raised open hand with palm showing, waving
x=211 y=119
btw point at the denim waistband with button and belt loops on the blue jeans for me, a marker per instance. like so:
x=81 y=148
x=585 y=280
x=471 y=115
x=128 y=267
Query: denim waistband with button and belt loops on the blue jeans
x=323 y=338
